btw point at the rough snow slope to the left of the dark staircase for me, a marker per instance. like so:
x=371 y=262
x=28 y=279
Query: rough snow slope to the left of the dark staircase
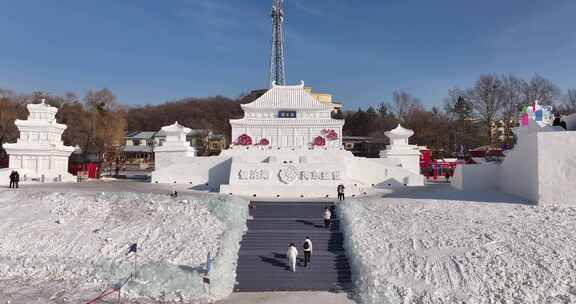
x=66 y=243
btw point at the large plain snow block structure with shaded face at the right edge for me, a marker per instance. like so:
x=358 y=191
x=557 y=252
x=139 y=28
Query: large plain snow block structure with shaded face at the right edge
x=541 y=168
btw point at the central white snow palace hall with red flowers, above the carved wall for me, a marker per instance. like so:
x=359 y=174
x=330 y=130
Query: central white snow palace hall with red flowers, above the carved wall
x=287 y=117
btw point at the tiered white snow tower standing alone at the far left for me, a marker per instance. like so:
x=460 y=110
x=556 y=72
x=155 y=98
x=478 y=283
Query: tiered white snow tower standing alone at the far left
x=39 y=153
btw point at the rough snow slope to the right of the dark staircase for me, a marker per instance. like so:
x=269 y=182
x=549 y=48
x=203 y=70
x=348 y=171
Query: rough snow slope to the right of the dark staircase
x=437 y=245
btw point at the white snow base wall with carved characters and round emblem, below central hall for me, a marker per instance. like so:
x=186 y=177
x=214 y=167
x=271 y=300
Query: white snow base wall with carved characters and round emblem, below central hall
x=267 y=173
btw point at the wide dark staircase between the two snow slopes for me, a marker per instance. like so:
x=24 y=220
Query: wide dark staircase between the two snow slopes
x=262 y=265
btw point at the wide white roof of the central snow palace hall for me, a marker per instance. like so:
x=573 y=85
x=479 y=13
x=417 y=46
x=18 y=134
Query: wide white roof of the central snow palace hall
x=287 y=97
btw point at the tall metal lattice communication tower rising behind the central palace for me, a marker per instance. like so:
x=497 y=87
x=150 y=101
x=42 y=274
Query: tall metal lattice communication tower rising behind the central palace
x=276 y=72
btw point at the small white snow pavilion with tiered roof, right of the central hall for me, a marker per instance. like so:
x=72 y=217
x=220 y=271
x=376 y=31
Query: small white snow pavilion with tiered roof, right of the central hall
x=408 y=155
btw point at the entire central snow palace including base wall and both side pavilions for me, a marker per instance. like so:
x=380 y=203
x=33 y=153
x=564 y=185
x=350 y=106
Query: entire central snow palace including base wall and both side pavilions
x=286 y=146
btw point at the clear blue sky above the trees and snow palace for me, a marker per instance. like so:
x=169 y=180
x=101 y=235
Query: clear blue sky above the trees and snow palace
x=147 y=52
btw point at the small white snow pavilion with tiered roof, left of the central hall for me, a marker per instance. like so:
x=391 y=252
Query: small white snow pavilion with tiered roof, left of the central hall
x=175 y=147
